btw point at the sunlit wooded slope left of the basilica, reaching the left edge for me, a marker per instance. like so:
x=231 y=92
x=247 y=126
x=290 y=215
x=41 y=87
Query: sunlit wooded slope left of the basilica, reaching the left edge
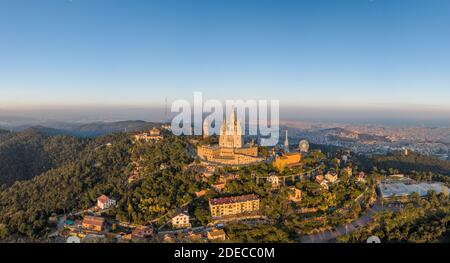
x=102 y=168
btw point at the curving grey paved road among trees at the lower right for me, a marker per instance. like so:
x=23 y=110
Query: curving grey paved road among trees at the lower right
x=331 y=235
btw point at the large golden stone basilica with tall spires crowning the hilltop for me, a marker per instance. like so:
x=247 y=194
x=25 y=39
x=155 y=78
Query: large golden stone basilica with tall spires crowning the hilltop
x=231 y=149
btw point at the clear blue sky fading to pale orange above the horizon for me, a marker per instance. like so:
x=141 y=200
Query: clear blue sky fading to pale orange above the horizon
x=389 y=54
